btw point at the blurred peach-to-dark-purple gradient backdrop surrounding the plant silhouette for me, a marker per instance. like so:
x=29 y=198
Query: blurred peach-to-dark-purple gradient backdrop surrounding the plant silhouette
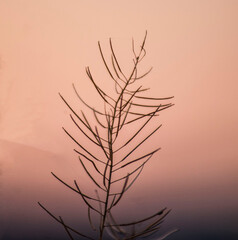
x=192 y=47
